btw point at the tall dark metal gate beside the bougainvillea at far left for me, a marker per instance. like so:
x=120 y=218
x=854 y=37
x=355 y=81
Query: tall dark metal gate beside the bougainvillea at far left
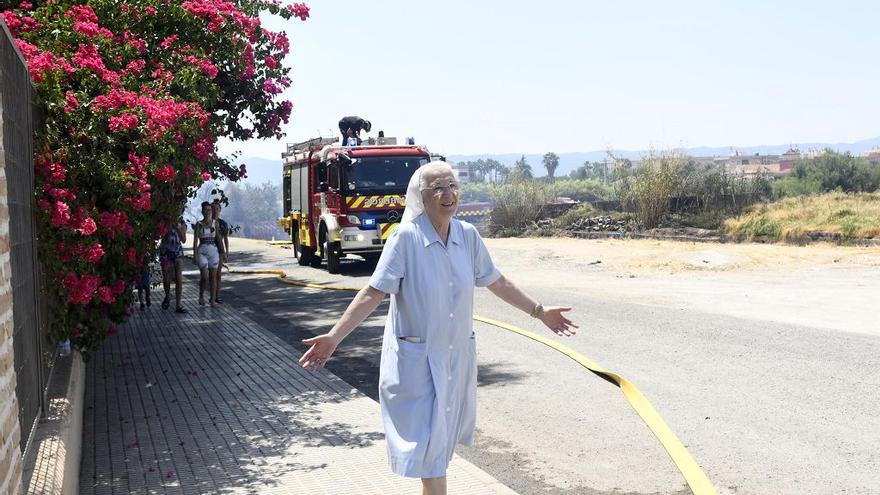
x=28 y=310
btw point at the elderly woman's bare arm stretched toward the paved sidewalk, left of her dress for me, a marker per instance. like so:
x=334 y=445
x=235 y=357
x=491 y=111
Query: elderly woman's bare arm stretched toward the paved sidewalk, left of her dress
x=322 y=347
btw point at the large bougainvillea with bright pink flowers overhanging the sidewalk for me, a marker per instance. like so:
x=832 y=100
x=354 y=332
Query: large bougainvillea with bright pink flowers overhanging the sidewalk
x=135 y=96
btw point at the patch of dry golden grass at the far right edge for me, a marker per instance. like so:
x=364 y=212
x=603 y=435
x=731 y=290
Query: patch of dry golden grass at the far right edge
x=837 y=215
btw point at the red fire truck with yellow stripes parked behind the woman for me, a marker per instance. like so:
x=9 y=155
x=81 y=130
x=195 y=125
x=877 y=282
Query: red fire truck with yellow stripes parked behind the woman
x=345 y=199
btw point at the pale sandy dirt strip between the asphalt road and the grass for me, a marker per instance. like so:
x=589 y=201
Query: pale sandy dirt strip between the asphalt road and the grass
x=822 y=285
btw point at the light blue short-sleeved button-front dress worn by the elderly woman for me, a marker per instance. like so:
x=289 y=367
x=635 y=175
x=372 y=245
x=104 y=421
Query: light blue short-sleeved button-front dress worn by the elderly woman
x=428 y=390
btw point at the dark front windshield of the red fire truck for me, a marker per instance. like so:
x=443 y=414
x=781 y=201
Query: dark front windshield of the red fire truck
x=381 y=175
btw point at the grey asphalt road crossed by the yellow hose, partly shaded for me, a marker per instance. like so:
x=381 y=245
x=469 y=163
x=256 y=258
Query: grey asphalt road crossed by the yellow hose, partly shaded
x=763 y=407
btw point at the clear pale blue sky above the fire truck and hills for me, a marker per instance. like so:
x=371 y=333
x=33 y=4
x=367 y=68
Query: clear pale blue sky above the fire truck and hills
x=530 y=77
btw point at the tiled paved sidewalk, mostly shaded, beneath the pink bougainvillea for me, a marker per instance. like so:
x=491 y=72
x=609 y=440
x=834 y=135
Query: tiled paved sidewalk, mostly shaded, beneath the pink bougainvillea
x=208 y=402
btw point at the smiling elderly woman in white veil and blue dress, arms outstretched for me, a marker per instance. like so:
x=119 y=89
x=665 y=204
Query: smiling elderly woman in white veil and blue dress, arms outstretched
x=428 y=370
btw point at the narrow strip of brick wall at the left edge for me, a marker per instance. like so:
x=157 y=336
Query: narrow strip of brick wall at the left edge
x=10 y=455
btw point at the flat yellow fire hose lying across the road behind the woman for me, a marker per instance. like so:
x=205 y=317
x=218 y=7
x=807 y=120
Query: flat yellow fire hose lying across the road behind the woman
x=693 y=474
